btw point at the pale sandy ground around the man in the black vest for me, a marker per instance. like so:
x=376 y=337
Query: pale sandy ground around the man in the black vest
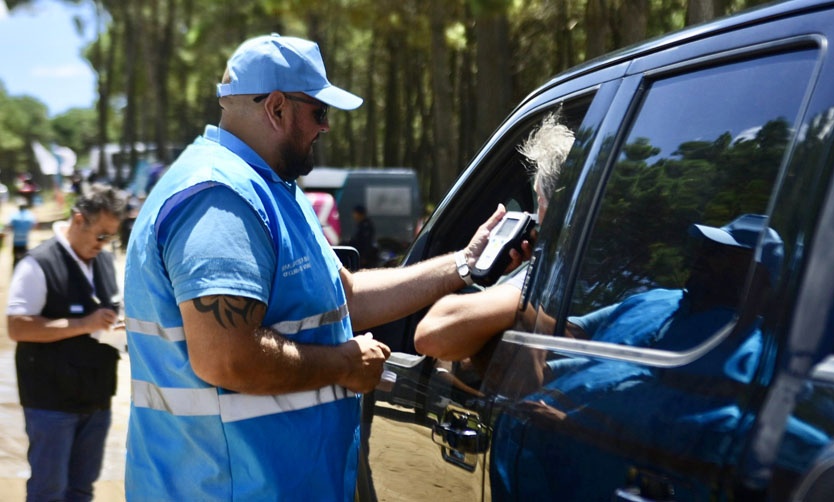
x=14 y=469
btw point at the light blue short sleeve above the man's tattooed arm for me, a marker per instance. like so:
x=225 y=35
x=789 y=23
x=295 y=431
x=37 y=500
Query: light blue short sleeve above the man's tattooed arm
x=214 y=243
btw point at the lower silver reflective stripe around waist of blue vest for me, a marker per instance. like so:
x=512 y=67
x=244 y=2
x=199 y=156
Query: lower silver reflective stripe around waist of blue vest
x=230 y=407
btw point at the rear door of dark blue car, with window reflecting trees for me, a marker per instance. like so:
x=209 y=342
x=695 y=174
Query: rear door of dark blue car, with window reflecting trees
x=653 y=386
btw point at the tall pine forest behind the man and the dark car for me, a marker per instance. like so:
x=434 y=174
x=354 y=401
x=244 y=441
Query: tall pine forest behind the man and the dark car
x=438 y=76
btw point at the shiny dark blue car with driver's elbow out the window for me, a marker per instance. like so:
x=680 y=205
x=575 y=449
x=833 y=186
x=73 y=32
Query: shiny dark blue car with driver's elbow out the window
x=701 y=127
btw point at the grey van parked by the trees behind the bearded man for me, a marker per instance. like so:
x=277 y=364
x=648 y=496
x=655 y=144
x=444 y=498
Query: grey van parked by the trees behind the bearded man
x=390 y=195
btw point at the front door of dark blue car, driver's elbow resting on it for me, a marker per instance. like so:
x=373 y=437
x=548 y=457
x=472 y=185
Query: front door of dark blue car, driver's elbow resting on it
x=427 y=437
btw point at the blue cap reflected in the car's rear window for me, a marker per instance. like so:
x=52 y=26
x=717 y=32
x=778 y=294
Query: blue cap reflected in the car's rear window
x=747 y=231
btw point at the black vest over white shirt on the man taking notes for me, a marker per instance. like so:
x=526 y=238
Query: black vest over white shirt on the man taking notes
x=76 y=374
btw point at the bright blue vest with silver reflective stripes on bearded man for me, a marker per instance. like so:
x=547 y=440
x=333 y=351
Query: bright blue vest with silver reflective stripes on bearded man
x=188 y=440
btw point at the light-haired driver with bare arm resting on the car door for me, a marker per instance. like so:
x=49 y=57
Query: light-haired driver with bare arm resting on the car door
x=459 y=325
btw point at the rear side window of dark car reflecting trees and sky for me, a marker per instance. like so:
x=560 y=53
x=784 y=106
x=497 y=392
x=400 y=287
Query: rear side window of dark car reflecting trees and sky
x=701 y=150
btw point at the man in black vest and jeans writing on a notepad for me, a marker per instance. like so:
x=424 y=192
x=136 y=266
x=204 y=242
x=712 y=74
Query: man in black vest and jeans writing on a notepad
x=62 y=294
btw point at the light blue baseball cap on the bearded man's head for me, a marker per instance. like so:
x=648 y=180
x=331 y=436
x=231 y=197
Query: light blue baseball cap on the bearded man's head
x=274 y=63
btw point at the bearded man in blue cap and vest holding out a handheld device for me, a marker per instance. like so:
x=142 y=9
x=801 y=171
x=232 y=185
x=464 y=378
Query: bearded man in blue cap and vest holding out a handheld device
x=245 y=372
